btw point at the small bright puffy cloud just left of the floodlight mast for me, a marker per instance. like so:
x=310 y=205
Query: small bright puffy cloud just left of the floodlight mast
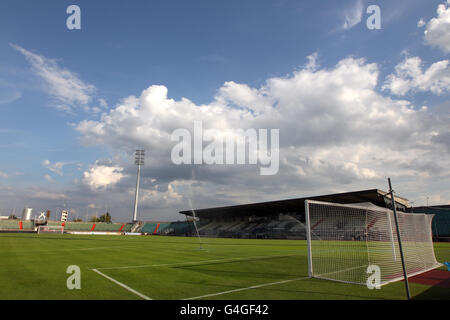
x=101 y=176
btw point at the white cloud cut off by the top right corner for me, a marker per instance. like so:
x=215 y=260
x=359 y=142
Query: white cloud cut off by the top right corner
x=437 y=30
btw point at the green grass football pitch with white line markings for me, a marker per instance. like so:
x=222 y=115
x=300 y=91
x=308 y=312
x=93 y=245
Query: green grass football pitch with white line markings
x=34 y=267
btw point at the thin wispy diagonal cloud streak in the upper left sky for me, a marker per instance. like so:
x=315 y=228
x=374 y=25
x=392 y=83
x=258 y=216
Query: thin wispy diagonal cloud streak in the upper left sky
x=64 y=86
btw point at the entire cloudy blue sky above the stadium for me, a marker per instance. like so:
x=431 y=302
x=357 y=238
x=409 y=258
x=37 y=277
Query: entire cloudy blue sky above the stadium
x=353 y=105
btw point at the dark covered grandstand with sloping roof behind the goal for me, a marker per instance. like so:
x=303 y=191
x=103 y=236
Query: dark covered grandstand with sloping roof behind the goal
x=282 y=219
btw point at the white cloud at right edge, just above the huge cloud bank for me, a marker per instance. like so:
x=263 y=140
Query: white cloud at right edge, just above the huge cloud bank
x=410 y=77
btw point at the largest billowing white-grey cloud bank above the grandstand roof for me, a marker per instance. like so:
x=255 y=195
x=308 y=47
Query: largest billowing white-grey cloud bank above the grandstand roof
x=336 y=129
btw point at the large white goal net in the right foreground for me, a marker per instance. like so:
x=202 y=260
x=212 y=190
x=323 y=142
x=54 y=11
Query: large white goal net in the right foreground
x=344 y=240
